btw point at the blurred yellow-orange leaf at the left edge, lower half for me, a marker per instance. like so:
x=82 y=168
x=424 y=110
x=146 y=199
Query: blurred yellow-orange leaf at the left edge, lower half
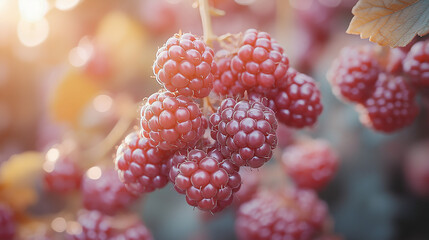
x=18 y=177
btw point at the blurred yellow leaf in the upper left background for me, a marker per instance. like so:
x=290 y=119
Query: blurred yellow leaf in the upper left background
x=71 y=96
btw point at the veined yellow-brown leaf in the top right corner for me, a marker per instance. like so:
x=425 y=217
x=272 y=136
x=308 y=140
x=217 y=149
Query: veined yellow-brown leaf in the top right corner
x=391 y=23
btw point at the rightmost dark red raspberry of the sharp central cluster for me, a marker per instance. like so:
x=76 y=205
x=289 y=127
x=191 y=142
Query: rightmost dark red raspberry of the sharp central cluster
x=298 y=103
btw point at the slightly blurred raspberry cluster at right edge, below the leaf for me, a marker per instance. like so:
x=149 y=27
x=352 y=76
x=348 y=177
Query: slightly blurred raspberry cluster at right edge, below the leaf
x=379 y=83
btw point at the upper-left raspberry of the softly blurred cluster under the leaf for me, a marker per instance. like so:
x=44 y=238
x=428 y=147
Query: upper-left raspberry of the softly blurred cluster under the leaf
x=353 y=74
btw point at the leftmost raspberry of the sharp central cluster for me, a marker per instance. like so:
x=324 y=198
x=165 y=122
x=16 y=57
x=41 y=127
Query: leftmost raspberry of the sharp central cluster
x=141 y=167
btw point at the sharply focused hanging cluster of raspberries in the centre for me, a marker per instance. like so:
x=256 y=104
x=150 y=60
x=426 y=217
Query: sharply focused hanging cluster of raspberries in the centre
x=256 y=87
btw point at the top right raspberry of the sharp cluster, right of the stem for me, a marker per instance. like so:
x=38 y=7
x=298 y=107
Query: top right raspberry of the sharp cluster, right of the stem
x=260 y=61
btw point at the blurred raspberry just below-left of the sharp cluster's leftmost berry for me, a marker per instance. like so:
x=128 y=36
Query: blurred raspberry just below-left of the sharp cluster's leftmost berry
x=106 y=193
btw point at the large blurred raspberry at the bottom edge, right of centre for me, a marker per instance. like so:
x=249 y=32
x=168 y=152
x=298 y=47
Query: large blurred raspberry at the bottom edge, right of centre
x=295 y=214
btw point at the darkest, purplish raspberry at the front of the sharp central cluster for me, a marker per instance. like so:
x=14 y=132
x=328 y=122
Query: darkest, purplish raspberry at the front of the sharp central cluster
x=245 y=131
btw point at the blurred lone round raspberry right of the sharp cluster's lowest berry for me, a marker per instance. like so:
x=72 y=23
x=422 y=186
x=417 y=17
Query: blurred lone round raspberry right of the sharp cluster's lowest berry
x=311 y=164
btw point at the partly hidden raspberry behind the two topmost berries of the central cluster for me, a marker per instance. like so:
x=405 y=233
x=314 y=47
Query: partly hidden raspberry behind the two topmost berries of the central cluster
x=226 y=82
